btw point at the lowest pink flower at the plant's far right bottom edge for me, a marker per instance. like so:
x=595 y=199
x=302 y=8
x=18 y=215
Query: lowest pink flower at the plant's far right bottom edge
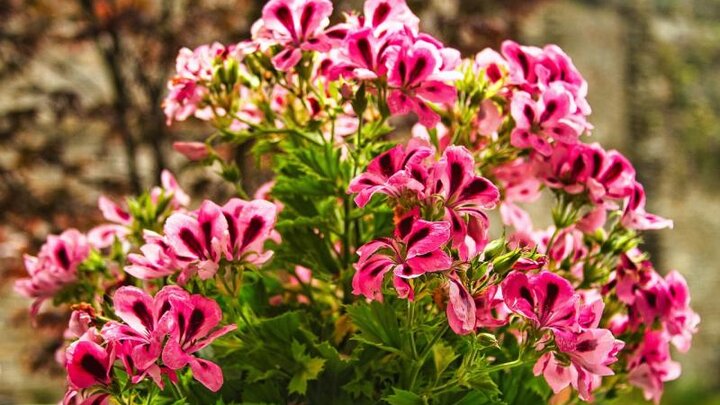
x=651 y=366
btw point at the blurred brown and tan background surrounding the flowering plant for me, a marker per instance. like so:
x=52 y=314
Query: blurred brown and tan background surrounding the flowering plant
x=81 y=82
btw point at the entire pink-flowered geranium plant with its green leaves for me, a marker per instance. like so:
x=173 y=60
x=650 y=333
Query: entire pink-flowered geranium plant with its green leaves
x=387 y=279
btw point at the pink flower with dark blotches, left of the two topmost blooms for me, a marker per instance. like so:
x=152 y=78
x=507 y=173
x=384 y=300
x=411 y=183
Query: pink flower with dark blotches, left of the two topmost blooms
x=297 y=25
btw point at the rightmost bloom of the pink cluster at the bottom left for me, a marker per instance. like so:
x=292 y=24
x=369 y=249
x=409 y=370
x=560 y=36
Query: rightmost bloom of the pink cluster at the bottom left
x=193 y=321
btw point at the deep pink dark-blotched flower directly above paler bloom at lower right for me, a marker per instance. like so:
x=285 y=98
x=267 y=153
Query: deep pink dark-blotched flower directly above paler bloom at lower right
x=545 y=298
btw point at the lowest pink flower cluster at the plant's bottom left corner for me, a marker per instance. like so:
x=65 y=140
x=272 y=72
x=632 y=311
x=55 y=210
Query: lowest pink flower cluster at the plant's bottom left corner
x=157 y=336
